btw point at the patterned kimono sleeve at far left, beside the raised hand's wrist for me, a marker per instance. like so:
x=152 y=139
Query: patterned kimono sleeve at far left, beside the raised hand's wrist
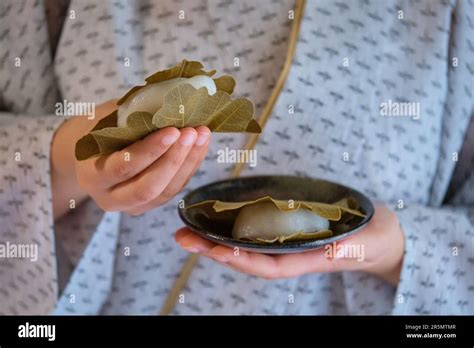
x=28 y=92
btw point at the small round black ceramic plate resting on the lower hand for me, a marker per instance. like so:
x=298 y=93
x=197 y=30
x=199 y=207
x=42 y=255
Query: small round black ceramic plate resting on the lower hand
x=279 y=187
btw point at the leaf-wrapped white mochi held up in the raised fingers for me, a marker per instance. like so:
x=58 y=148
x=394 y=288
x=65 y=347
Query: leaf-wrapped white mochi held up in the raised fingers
x=181 y=106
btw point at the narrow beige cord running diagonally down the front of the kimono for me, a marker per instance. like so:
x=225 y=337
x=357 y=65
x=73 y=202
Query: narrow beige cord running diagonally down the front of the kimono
x=191 y=261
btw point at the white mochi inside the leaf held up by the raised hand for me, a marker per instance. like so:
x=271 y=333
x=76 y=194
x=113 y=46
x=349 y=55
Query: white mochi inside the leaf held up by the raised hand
x=150 y=98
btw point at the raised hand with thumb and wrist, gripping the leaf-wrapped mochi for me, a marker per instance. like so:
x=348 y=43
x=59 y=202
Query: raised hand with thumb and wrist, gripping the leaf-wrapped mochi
x=134 y=180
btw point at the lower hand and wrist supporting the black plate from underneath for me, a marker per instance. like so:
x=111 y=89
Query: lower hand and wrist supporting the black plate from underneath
x=381 y=243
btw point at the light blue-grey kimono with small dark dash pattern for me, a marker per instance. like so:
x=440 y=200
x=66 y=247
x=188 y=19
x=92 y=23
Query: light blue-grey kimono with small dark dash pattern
x=351 y=57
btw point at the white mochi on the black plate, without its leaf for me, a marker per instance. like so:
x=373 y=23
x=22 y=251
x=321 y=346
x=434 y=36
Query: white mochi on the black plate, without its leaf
x=264 y=220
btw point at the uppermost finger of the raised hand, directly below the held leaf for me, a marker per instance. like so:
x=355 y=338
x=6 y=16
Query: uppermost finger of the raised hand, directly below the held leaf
x=125 y=164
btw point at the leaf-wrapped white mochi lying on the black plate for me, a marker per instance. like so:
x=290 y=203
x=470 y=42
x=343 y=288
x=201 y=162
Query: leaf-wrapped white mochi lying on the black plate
x=339 y=214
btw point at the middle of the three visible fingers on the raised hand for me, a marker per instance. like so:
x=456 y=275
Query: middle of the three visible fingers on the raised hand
x=149 y=184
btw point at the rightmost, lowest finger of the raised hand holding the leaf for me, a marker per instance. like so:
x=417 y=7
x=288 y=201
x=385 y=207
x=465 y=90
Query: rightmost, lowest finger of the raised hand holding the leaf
x=192 y=161
